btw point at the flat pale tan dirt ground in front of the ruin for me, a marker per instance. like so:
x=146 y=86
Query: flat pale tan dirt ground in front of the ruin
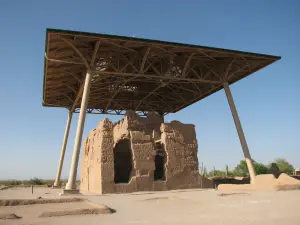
x=182 y=207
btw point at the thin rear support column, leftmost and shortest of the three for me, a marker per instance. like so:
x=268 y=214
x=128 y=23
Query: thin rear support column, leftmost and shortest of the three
x=63 y=150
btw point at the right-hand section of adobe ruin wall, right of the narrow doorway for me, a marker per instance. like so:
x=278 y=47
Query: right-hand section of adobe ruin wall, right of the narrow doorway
x=181 y=146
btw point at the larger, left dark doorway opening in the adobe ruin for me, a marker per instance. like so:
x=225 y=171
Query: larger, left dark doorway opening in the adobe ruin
x=122 y=161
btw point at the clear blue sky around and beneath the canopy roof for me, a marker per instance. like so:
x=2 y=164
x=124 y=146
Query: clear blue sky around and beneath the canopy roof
x=268 y=102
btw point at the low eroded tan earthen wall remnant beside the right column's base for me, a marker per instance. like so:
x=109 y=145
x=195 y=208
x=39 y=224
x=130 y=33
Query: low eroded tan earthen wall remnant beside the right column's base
x=265 y=182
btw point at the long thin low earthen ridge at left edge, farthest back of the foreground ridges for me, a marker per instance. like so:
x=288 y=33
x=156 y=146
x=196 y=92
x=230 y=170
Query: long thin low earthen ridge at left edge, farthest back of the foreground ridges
x=14 y=202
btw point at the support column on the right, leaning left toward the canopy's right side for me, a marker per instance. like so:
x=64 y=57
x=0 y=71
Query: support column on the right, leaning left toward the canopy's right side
x=240 y=132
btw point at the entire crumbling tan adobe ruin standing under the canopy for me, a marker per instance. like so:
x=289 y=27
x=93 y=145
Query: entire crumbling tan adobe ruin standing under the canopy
x=140 y=154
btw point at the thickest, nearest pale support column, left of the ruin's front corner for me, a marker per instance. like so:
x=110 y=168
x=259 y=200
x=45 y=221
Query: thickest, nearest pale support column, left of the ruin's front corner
x=71 y=185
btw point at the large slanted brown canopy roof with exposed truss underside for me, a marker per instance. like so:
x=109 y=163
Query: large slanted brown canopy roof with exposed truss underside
x=137 y=74
